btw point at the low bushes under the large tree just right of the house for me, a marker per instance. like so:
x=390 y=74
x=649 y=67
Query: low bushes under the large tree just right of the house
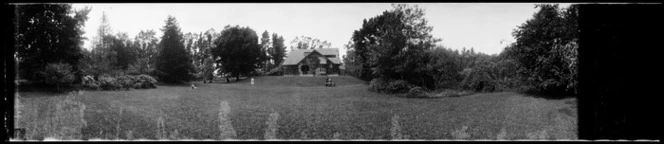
x=389 y=86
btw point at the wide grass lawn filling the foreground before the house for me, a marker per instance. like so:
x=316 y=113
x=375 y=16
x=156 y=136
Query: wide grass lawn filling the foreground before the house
x=291 y=108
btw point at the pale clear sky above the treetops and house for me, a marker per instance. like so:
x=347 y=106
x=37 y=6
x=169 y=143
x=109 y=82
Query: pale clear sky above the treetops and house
x=486 y=28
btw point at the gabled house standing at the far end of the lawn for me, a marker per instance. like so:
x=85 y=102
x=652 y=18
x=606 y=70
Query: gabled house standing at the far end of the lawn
x=324 y=61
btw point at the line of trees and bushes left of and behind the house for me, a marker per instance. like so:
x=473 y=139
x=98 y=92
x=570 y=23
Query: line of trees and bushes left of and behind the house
x=49 y=49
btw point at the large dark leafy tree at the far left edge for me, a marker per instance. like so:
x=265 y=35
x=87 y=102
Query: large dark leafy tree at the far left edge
x=48 y=33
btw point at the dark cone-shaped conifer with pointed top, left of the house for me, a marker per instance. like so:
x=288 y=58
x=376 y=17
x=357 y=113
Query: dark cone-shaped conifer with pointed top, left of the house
x=173 y=60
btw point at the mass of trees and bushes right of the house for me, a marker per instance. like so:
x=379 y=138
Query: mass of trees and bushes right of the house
x=396 y=53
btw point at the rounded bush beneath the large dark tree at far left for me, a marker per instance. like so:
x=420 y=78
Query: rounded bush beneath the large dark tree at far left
x=59 y=74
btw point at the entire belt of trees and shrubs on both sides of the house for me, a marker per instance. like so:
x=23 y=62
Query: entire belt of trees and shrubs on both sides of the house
x=394 y=51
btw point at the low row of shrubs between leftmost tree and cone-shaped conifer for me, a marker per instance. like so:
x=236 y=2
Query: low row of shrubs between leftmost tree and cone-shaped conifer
x=120 y=82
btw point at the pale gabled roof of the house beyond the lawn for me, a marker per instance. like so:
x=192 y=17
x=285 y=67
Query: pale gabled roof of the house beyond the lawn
x=295 y=56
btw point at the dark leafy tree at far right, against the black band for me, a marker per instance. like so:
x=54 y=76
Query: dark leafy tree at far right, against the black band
x=546 y=48
